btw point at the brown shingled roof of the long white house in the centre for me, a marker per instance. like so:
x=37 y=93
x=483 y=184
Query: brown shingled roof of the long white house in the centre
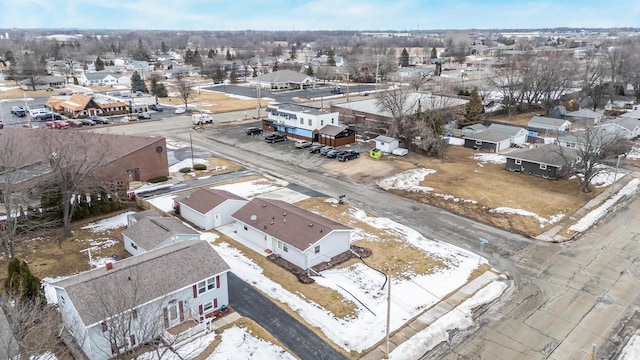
x=295 y=226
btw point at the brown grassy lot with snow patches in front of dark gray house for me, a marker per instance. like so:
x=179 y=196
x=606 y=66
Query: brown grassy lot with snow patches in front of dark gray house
x=488 y=184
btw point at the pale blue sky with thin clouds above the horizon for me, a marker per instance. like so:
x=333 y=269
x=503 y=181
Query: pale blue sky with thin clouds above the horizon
x=376 y=15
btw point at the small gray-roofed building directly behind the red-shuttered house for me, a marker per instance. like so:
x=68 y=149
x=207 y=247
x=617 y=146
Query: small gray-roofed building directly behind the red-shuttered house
x=152 y=232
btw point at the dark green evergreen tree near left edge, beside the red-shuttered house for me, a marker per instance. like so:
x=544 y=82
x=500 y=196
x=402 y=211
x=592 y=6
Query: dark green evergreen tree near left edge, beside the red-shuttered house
x=22 y=283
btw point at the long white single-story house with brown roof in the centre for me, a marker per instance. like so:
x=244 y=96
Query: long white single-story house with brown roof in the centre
x=297 y=235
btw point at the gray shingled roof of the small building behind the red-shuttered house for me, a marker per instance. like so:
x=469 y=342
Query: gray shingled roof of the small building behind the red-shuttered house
x=152 y=231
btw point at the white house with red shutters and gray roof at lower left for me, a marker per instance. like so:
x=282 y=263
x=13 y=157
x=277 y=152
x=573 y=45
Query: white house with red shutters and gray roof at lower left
x=167 y=287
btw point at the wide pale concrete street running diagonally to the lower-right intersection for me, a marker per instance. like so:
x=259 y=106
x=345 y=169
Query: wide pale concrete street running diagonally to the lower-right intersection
x=567 y=296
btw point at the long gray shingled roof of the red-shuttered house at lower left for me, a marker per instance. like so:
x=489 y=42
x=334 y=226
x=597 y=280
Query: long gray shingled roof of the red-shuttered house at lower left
x=98 y=294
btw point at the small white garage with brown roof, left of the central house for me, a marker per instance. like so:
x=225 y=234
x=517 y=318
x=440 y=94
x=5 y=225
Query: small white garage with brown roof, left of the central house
x=210 y=208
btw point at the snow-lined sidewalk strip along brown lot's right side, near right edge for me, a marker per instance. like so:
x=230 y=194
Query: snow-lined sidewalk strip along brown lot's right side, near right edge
x=553 y=233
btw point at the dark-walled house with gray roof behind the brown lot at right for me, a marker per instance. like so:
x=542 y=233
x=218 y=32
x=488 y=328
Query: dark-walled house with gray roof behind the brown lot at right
x=549 y=161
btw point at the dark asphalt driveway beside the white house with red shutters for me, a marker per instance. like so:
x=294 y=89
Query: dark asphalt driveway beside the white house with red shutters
x=299 y=339
